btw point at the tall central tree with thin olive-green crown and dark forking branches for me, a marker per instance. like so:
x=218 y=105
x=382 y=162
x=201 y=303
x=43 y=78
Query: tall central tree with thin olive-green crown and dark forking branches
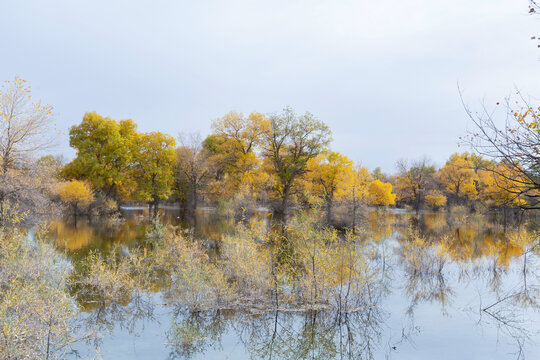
x=291 y=141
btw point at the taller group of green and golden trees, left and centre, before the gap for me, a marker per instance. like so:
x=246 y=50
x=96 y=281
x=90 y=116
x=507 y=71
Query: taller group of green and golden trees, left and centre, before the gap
x=281 y=160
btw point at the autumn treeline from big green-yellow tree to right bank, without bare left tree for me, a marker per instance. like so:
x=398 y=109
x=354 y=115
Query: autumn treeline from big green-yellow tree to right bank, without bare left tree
x=282 y=160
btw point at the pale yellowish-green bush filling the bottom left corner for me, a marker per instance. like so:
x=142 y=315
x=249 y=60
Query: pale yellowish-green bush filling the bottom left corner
x=36 y=311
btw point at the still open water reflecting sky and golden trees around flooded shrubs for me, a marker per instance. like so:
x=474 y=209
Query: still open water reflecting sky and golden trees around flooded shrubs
x=479 y=299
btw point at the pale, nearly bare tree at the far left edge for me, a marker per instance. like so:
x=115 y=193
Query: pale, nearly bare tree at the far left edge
x=24 y=131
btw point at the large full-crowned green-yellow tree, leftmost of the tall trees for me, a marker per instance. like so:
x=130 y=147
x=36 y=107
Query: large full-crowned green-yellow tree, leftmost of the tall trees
x=105 y=153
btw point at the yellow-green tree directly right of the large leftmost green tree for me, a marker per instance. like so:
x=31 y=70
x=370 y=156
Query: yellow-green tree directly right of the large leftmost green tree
x=153 y=169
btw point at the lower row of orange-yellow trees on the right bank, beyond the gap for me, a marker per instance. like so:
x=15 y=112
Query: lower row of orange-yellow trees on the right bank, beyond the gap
x=466 y=179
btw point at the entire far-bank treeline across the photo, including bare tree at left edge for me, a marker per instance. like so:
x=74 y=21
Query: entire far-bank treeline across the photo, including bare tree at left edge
x=282 y=161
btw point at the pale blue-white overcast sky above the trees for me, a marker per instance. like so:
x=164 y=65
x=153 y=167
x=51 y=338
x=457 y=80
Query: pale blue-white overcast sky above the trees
x=383 y=75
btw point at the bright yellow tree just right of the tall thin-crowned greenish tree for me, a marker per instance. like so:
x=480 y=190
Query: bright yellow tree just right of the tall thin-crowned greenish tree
x=328 y=175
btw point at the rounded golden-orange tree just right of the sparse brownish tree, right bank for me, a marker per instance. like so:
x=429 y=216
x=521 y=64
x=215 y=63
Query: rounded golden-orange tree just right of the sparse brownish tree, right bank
x=458 y=177
